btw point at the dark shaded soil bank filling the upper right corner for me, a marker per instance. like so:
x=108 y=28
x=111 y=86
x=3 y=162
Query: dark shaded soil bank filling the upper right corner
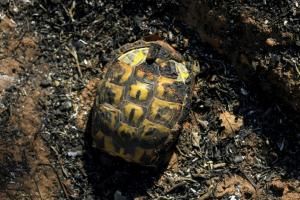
x=260 y=38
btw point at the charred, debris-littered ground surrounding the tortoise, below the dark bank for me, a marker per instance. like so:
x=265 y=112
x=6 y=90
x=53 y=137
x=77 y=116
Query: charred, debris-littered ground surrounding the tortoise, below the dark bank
x=235 y=144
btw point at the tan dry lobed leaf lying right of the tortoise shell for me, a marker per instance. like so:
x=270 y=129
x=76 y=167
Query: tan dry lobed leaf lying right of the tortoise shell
x=231 y=123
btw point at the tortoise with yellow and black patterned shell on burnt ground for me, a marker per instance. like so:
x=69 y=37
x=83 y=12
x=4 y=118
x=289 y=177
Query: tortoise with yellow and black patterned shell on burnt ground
x=141 y=102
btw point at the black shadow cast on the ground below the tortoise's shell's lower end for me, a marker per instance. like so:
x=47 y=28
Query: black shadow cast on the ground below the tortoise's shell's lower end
x=112 y=177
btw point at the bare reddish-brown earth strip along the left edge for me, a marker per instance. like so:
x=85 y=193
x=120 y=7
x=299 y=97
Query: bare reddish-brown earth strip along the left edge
x=40 y=180
